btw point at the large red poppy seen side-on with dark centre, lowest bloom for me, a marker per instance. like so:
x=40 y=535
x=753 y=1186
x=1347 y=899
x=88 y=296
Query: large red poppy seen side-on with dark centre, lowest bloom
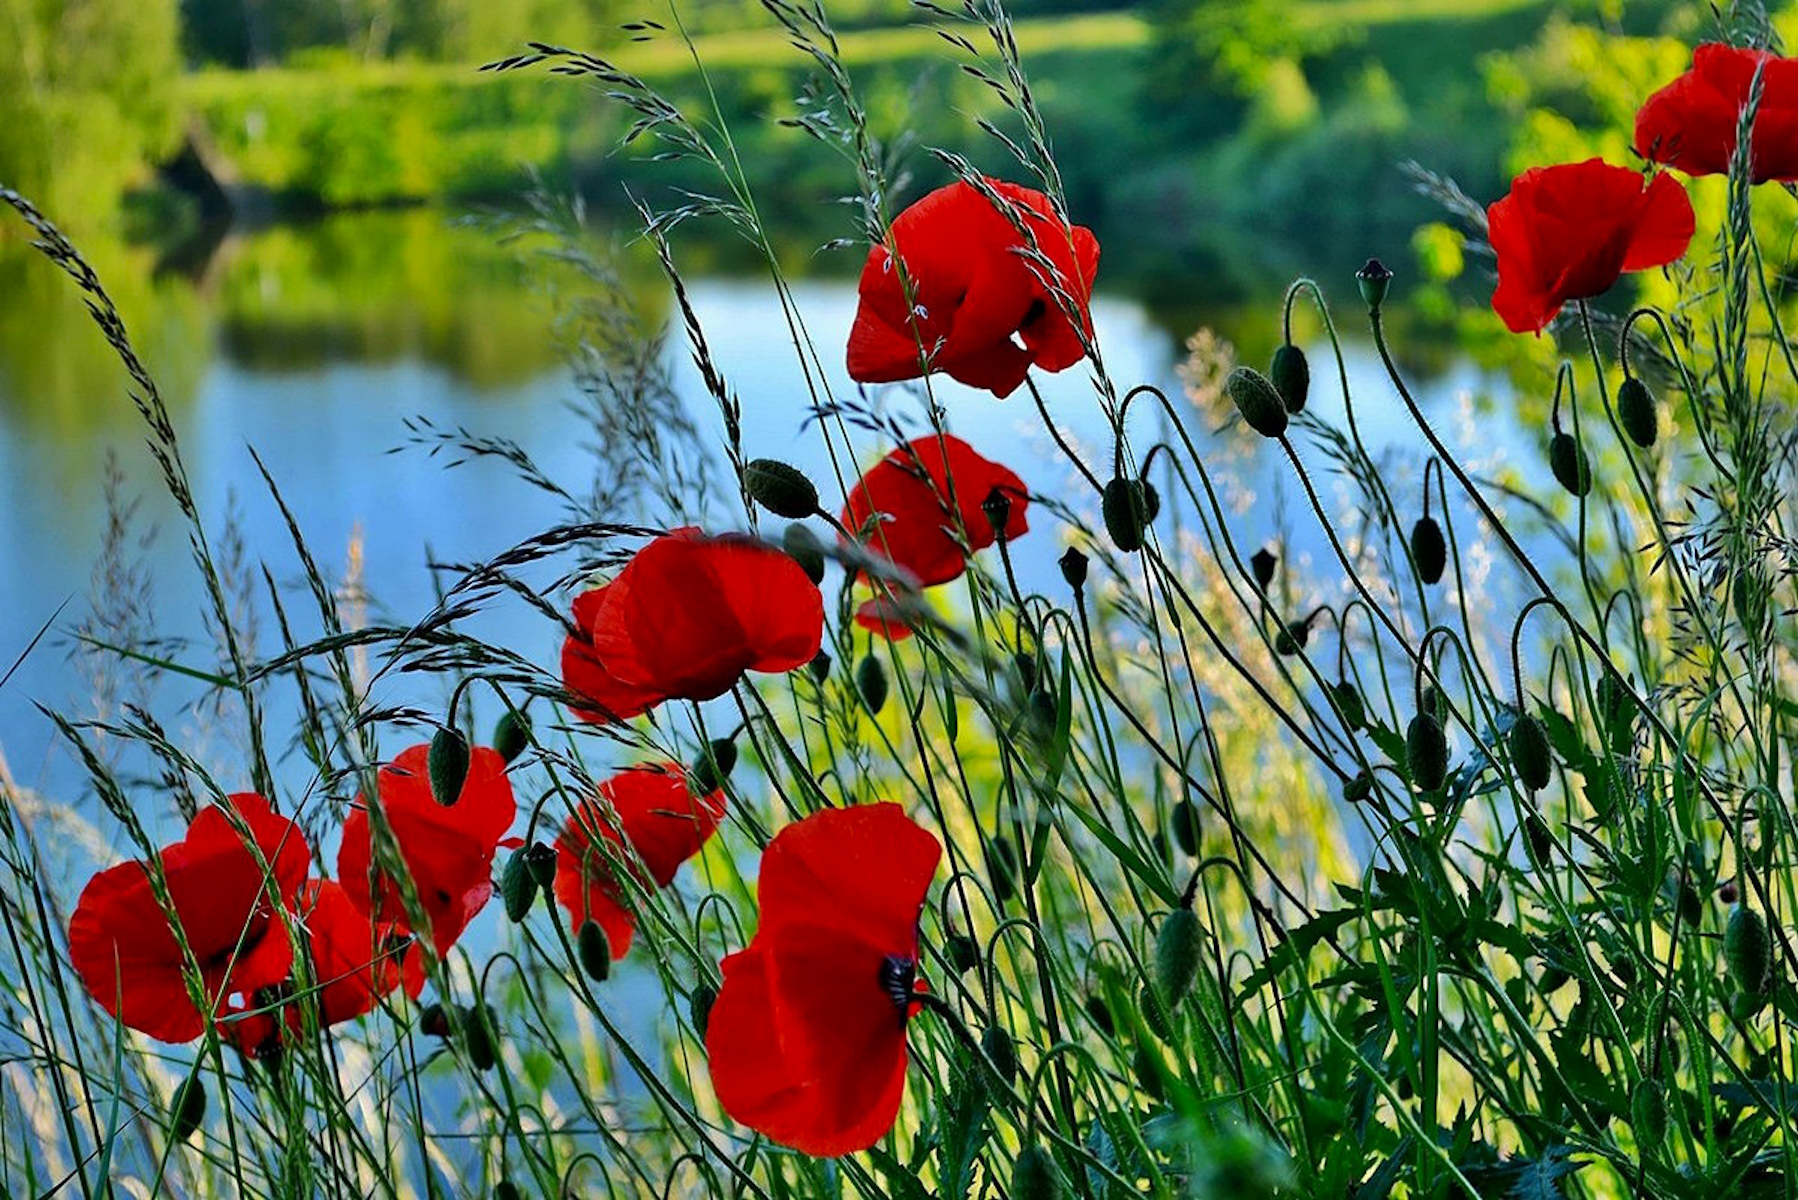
x=808 y=1034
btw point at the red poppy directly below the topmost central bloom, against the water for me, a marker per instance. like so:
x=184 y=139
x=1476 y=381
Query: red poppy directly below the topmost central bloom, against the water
x=916 y=506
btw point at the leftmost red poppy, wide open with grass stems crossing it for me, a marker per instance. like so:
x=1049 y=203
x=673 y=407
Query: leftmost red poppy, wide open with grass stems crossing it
x=125 y=949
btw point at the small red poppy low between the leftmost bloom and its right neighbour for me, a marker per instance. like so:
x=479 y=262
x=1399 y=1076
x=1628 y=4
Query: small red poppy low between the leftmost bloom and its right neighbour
x=353 y=965
